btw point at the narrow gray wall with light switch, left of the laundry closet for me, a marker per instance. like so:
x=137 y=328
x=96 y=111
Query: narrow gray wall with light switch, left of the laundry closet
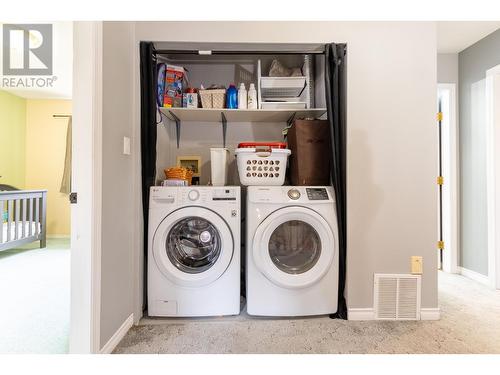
x=118 y=224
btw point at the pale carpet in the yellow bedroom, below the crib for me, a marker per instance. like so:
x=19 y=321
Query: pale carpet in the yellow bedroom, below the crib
x=35 y=298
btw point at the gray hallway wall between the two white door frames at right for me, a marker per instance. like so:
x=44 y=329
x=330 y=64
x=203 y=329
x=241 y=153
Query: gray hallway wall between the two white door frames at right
x=473 y=63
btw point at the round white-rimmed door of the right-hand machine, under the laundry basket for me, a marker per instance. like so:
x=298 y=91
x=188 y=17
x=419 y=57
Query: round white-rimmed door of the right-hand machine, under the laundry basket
x=294 y=247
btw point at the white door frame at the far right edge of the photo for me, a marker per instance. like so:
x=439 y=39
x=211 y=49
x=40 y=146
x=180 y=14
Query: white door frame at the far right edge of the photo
x=493 y=175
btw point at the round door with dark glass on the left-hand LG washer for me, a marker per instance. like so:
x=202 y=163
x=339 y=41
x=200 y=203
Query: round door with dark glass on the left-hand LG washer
x=193 y=246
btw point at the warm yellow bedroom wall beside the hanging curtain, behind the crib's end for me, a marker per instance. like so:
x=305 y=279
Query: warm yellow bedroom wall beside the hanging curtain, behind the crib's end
x=45 y=151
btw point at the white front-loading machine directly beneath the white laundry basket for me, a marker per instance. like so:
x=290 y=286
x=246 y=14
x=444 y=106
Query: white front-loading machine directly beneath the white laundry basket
x=292 y=251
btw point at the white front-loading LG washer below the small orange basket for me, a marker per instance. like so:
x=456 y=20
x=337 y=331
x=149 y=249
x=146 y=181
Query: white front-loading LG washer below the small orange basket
x=194 y=251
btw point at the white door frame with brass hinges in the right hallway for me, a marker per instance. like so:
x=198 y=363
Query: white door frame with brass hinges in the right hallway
x=451 y=258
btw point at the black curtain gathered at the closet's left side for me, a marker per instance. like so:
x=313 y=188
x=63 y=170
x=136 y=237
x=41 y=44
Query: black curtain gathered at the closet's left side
x=148 y=133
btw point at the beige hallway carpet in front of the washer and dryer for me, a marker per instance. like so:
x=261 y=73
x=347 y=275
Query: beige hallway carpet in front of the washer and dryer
x=470 y=323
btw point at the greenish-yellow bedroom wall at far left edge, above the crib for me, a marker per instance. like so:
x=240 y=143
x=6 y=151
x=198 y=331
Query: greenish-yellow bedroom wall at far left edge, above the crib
x=12 y=139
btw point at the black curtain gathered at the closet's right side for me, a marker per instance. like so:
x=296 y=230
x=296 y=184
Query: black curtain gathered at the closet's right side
x=335 y=83
